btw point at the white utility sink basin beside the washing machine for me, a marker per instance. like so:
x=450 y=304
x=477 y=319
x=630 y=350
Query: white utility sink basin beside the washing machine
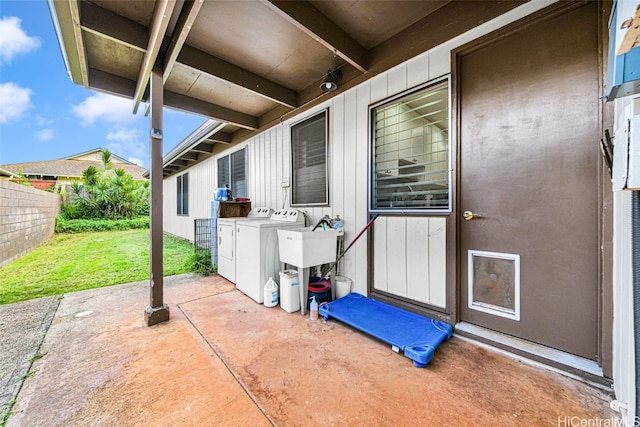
x=304 y=248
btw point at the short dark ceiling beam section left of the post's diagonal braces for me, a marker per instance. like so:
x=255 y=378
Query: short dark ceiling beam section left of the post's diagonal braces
x=105 y=23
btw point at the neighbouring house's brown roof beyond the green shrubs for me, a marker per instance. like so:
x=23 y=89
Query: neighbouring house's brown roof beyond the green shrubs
x=71 y=167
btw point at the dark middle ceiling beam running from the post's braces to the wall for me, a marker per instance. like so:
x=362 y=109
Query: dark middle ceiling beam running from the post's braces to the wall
x=217 y=67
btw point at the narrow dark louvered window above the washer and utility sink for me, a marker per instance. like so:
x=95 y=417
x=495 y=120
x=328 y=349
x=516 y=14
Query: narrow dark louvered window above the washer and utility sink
x=309 y=184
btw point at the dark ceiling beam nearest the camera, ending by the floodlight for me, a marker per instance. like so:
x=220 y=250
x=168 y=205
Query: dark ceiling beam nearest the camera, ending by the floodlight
x=326 y=32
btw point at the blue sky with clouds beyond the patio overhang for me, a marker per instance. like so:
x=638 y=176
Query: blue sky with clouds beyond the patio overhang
x=44 y=116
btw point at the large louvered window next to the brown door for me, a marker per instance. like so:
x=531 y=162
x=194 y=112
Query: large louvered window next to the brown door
x=410 y=161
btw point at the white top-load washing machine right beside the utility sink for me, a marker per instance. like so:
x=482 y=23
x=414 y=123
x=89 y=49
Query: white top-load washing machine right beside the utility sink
x=258 y=257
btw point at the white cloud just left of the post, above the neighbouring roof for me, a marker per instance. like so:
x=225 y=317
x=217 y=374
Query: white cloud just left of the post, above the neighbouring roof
x=110 y=108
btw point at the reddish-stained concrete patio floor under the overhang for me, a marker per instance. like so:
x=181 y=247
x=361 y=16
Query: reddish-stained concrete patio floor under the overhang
x=223 y=360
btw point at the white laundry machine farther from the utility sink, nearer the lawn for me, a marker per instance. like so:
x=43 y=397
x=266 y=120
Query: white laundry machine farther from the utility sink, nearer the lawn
x=227 y=253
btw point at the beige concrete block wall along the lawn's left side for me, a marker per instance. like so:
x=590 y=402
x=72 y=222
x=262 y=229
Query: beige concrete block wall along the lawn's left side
x=27 y=219
